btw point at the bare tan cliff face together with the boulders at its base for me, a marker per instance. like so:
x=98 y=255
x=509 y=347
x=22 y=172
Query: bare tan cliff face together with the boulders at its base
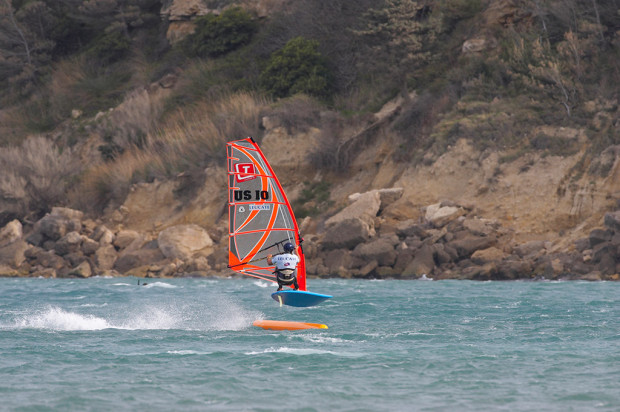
x=466 y=215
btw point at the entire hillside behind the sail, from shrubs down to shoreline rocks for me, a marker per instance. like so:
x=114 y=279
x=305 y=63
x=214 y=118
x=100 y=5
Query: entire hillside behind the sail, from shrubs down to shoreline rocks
x=454 y=139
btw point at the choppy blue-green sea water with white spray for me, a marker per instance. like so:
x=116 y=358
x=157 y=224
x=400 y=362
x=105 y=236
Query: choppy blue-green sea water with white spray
x=189 y=345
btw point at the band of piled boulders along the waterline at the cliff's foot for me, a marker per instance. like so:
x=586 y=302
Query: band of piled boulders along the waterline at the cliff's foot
x=364 y=240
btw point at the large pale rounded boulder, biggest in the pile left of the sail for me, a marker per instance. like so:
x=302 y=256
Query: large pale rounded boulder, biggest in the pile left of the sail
x=183 y=241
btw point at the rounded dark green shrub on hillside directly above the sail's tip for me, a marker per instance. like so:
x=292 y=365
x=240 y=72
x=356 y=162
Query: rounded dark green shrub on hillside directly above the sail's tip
x=297 y=68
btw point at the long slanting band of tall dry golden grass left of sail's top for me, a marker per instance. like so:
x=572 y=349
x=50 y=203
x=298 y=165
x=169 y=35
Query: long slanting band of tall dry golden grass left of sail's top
x=189 y=141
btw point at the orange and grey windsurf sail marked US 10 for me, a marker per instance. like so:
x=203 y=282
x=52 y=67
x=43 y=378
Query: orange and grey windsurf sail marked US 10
x=261 y=219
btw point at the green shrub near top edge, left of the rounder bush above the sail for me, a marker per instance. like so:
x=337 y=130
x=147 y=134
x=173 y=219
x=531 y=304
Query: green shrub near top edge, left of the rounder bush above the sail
x=218 y=35
